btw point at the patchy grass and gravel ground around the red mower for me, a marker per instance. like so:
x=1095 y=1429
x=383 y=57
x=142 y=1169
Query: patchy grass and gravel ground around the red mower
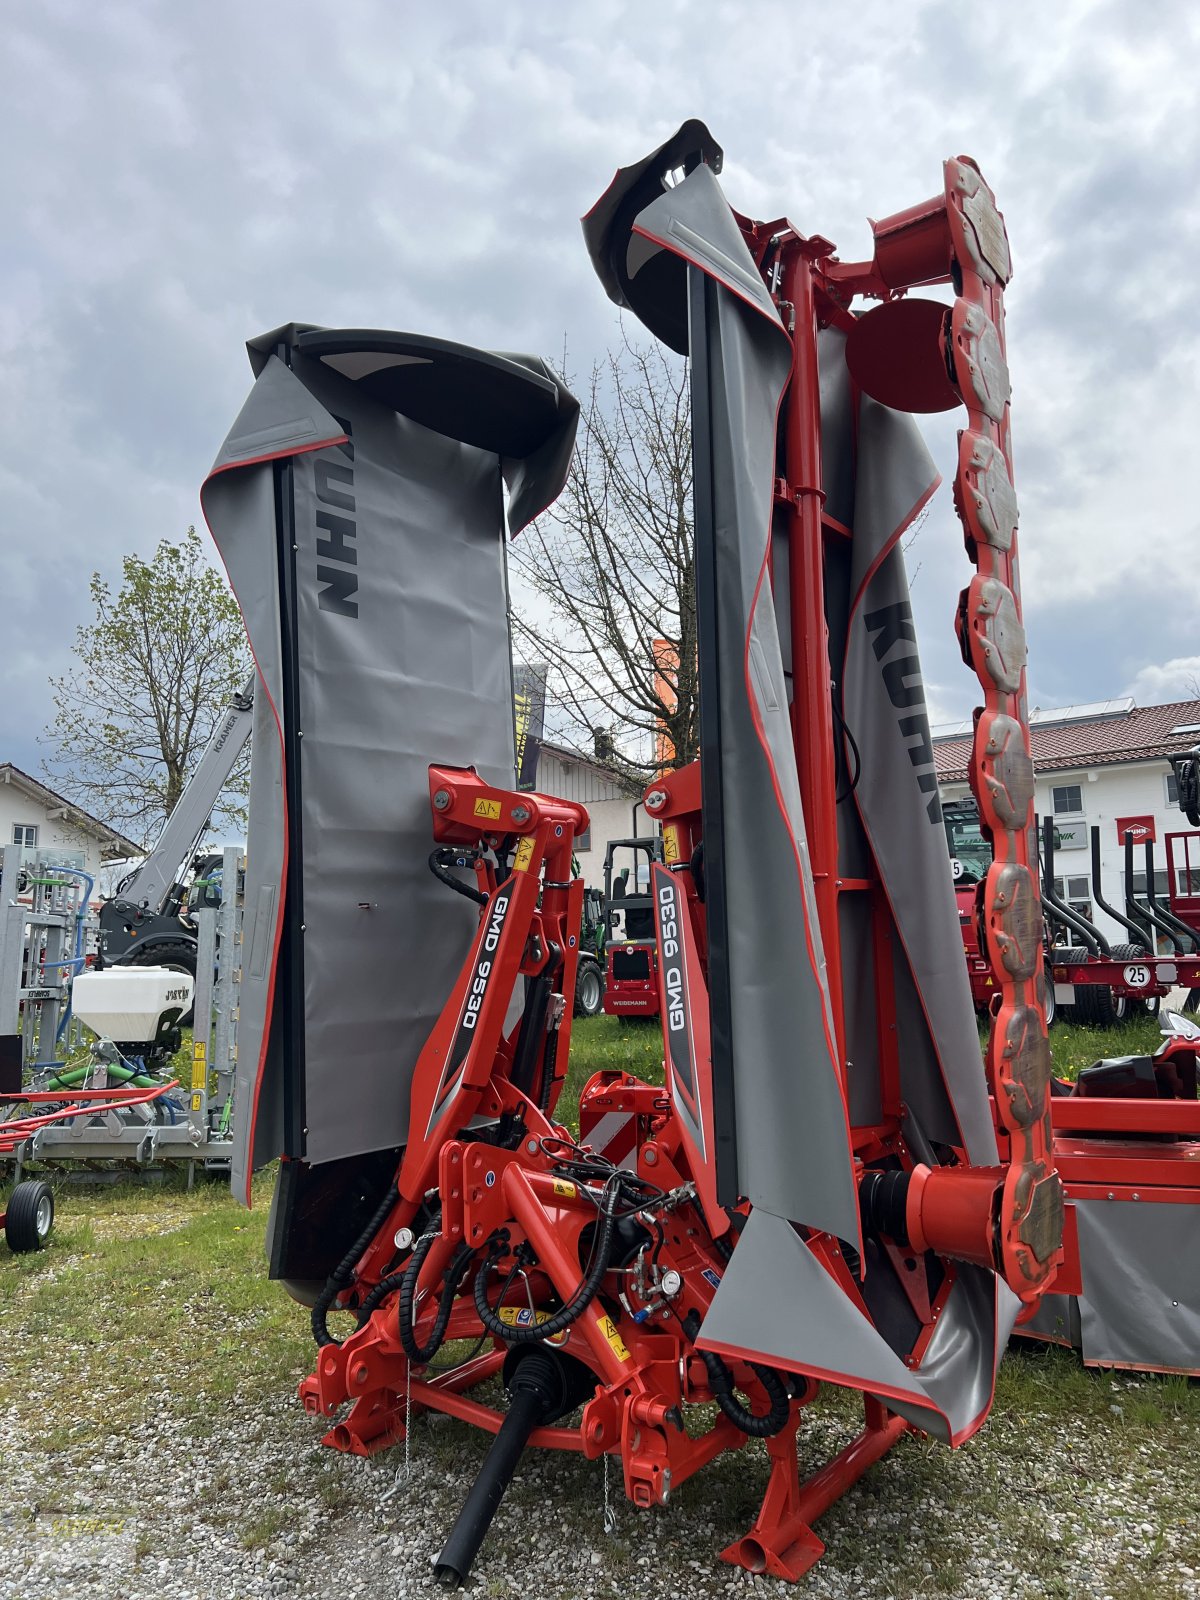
x=150 y=1374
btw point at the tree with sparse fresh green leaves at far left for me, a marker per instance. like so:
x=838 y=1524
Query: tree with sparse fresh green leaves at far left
x=154 y=673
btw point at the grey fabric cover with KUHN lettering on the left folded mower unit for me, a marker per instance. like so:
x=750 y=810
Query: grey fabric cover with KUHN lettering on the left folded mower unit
x=359 y=508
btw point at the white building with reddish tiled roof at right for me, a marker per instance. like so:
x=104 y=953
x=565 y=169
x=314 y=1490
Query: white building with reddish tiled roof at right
x=1102 y=766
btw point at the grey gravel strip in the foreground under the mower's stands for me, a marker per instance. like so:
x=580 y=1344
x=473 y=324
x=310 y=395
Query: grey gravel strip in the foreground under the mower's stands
x=246 y=1503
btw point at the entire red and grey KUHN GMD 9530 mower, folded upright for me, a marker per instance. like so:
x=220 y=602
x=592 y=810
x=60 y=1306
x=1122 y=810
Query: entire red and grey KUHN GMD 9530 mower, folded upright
x=823 y=1191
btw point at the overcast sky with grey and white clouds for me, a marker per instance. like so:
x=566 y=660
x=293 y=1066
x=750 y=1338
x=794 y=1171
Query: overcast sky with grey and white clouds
x=178 y=178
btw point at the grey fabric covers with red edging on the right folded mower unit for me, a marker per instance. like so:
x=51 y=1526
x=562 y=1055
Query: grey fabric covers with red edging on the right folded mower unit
x=654 y=239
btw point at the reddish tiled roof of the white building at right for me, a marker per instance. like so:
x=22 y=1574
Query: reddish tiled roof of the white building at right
x=1087 y=737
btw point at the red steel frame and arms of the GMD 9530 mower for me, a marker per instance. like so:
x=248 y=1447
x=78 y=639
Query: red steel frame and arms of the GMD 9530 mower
x=519 y=1204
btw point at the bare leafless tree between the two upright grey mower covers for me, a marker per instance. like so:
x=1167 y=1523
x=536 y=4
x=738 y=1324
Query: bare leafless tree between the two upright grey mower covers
x=612 y=604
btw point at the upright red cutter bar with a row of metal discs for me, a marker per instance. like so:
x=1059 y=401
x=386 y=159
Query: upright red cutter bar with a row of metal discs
x=993 y=641
